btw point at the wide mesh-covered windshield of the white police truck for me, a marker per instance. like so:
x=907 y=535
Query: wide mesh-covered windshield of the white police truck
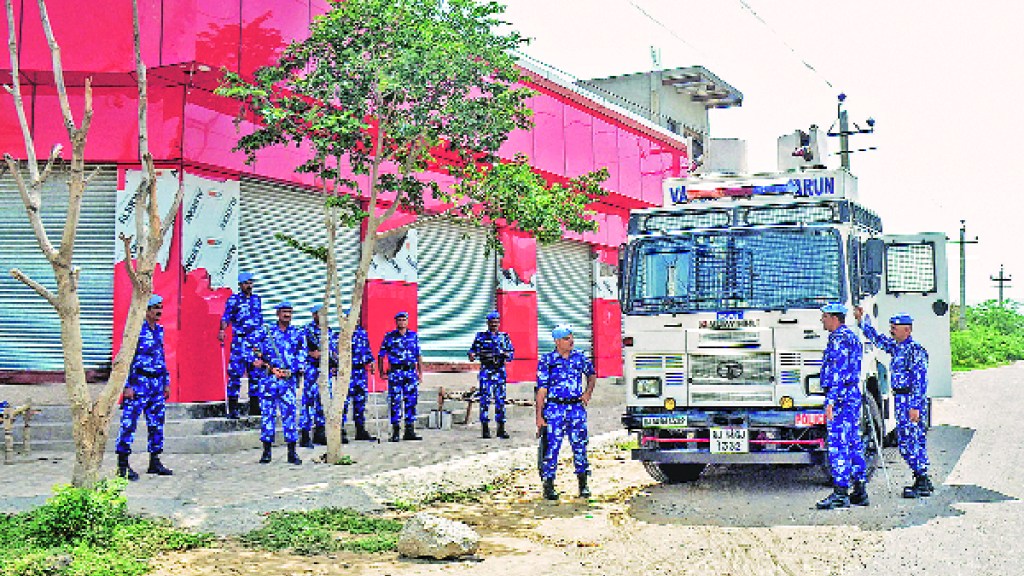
x=751 y=269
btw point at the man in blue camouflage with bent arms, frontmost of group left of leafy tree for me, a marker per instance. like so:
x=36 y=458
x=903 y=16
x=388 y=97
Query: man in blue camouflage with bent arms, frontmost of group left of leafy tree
x=280 y=350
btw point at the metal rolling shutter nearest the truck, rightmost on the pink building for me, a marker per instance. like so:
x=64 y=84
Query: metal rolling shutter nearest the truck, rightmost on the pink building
x=565 y=293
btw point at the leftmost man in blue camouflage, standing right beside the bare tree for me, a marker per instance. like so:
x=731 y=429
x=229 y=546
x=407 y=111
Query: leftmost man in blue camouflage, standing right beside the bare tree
x=146 y=392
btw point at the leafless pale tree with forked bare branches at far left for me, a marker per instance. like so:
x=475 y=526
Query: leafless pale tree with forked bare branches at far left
x=91 y=417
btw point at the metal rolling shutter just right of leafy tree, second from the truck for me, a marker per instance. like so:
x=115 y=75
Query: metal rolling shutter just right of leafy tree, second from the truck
x=457 y=283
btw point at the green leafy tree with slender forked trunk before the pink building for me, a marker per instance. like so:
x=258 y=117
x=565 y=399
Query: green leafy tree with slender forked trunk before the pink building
x=390 y=89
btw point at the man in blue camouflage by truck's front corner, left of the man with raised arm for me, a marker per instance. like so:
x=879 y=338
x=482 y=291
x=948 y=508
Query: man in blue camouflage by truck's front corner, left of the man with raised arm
x=841 y=381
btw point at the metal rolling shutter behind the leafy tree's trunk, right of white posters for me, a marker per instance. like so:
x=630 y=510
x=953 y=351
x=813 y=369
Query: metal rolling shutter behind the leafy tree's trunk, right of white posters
x=282 y=272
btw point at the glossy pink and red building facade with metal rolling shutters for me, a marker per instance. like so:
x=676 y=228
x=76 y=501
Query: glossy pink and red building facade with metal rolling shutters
x=440 y=273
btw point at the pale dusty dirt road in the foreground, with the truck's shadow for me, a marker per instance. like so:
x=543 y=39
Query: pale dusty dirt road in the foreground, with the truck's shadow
x=735 y=520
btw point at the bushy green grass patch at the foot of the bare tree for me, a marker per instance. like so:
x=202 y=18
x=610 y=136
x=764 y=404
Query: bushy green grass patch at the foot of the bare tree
x=88 y=532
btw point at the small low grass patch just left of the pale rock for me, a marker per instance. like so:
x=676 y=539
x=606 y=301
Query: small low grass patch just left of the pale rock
x=324 y=531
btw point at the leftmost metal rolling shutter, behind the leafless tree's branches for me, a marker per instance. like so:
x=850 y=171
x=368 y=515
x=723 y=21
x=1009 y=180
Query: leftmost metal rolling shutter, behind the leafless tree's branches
x=30 y=328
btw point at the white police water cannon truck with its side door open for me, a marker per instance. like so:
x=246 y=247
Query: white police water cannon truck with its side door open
x=721 y=291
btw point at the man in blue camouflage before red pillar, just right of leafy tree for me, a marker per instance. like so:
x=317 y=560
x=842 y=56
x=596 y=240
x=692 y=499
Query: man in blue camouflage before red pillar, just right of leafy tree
x=402 y=349
